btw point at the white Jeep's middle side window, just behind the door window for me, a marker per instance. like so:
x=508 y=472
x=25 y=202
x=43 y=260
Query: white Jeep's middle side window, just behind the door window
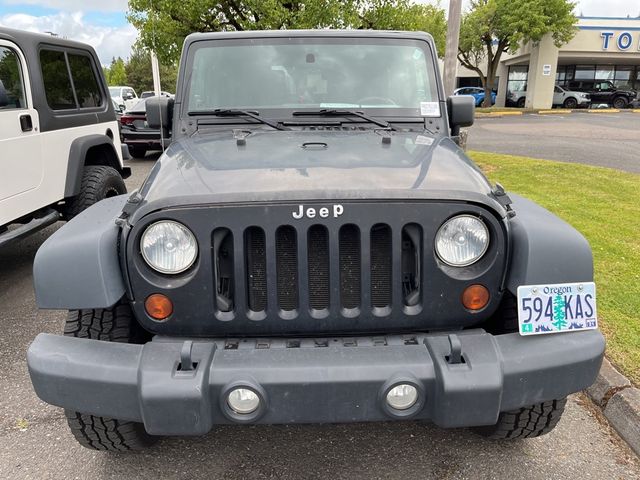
x=57 y=85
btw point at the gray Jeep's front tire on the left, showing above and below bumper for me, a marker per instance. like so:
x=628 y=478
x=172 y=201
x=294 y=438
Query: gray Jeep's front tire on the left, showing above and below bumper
x=115 y=324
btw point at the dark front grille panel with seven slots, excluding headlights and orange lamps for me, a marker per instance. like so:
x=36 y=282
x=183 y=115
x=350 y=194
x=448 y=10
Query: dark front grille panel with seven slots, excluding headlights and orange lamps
x=264 y=271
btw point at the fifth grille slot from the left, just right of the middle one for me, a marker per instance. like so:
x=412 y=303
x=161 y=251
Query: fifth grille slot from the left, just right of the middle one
x=350 y=278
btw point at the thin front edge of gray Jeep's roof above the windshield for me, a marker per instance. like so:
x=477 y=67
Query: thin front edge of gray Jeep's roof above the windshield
x=413 y=35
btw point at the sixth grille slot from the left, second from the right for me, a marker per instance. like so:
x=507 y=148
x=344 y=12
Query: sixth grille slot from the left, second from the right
x=381 y=284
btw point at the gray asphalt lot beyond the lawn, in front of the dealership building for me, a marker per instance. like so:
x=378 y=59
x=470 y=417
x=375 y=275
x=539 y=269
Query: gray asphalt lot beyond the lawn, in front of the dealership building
x=603 y=139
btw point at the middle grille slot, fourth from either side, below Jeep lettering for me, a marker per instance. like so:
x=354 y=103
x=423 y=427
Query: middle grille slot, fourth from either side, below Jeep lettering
x=318 y=261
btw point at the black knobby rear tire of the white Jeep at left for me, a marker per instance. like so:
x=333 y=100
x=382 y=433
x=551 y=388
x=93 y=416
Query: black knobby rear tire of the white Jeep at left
x=98 y=182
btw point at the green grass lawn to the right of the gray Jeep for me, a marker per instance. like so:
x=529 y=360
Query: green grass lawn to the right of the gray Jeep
x=604 y=205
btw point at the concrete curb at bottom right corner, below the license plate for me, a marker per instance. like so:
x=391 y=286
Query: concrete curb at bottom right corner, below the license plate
x=620 y=403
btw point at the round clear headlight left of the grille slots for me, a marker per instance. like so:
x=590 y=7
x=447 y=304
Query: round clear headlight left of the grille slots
x=168 y=247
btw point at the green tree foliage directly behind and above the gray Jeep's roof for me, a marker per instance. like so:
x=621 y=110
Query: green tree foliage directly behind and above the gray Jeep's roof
x=163 y=24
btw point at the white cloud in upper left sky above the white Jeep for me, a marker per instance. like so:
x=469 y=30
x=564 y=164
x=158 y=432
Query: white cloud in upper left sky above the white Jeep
x=108 y=41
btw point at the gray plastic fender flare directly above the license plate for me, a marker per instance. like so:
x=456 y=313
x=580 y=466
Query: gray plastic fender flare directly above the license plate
x=544 y=248
